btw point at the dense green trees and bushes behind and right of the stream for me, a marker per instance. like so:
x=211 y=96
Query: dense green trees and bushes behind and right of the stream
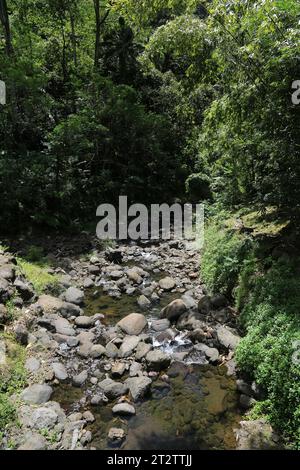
x=162 y=99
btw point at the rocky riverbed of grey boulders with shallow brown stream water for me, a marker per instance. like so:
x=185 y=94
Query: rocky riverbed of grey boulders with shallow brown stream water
x=129 y=352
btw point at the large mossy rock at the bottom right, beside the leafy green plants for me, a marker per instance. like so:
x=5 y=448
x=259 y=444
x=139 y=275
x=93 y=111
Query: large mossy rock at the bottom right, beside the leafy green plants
x=256 y=435
